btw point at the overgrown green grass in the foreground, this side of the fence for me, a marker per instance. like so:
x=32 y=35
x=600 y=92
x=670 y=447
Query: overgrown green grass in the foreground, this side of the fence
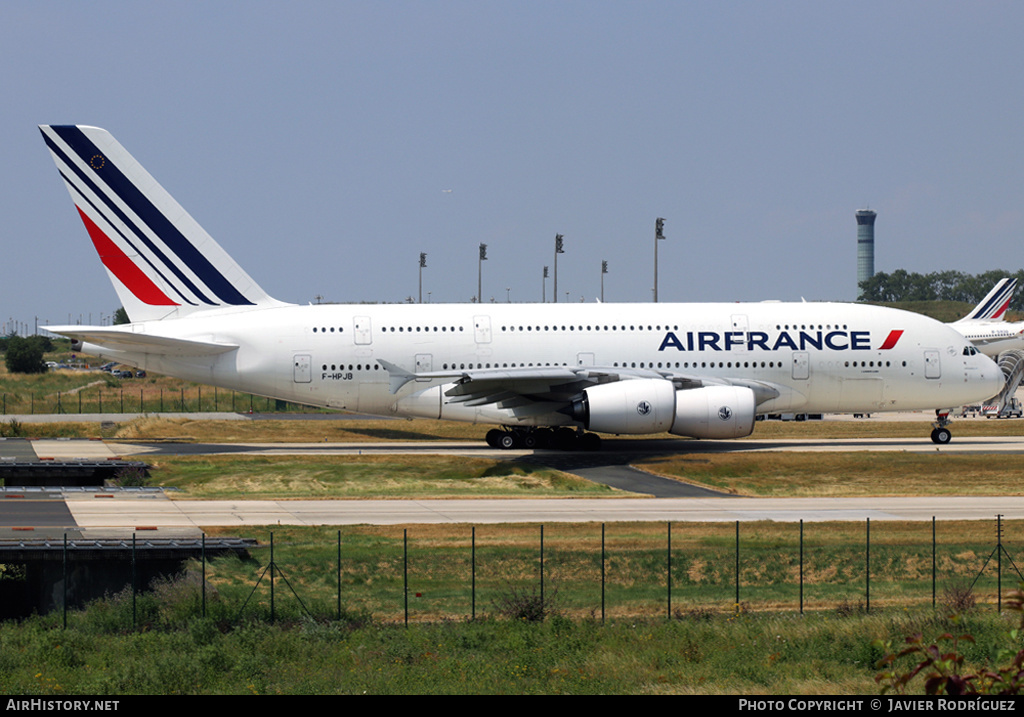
x=763 y=654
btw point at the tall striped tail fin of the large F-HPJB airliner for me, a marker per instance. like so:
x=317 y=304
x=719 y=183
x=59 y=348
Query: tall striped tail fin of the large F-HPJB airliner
x=162 y=264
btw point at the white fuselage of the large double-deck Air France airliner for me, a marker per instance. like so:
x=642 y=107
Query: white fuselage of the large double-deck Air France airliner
x=816 y=358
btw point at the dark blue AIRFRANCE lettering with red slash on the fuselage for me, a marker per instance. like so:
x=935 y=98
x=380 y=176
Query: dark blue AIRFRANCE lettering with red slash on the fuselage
x=838 y=341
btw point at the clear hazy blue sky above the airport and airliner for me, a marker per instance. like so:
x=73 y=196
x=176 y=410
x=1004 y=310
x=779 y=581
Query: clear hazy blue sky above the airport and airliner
x=326 y=145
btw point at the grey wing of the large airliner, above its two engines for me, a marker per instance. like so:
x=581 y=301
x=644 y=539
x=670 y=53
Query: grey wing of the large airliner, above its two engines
x=542 y=387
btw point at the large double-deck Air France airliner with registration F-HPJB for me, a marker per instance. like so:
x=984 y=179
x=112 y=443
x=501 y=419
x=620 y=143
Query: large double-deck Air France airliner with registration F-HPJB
x=543 y=372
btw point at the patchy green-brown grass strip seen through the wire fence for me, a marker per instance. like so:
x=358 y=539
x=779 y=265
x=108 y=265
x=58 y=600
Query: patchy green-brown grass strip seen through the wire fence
x=600 y=571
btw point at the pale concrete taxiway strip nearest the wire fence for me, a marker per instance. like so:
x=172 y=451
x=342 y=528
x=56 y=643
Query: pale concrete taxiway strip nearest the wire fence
x=124 y=514
